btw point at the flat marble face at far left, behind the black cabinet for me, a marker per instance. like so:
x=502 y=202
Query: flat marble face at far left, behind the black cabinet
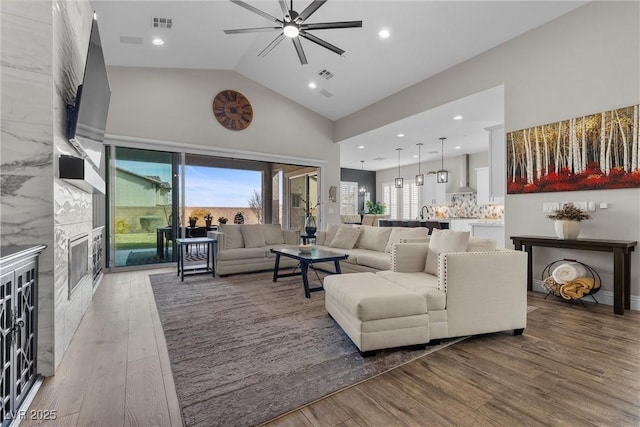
x=26 y=148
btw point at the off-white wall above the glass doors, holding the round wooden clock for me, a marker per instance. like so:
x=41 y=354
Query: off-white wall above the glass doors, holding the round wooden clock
x=174 y=106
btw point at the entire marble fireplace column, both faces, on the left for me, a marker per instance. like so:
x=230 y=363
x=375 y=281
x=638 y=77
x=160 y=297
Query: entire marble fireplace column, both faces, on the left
x=44 y=47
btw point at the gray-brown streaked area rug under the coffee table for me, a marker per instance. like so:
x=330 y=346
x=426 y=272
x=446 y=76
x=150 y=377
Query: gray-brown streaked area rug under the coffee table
x=245 y=350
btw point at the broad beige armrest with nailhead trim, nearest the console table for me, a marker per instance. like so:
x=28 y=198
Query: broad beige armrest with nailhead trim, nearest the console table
x=485 y=291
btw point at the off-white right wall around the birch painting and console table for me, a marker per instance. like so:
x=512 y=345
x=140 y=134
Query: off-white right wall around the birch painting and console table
x=582 y=63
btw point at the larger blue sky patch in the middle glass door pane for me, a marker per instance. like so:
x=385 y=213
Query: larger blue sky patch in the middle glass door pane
x=206 y=186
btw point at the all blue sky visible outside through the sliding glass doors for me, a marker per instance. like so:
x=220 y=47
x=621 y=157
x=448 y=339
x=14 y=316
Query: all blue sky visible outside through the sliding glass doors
x=206 y=186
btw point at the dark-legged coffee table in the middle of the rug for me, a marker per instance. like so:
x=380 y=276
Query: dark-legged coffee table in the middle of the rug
x=306 y=260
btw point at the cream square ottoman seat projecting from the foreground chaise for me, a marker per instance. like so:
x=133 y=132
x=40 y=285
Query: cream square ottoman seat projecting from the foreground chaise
x=374 y=313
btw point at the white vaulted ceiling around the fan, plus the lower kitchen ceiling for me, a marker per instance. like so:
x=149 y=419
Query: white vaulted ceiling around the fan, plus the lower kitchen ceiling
x=426 y=37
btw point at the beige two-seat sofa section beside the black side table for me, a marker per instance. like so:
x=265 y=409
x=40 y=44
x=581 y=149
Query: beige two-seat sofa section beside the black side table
x=243 y=248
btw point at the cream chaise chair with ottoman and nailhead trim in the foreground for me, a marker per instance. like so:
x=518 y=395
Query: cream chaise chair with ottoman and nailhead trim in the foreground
x=430 y=294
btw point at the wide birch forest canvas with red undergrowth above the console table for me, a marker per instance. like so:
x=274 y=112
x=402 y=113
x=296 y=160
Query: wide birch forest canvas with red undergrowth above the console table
x=599 y=151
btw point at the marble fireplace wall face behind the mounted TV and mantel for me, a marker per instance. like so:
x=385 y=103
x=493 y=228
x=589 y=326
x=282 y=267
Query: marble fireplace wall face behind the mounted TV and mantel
x=72 y=207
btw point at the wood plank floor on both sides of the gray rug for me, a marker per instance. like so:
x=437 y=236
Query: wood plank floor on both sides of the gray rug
x=574 y=366
